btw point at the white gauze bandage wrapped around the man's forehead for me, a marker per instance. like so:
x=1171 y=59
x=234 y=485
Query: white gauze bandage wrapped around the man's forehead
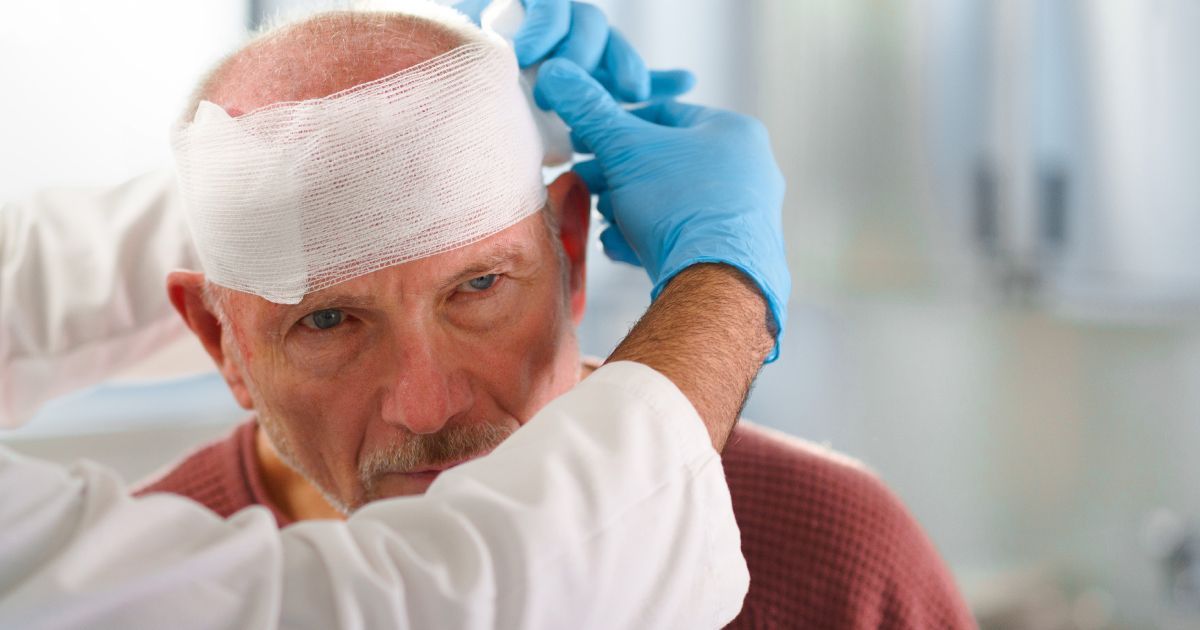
x=297 y=197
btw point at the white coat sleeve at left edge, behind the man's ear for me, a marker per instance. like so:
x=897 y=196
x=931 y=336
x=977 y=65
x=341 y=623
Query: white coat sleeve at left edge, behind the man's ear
x=82 y=286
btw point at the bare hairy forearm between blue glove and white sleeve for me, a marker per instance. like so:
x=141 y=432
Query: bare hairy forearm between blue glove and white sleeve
x=709 y=334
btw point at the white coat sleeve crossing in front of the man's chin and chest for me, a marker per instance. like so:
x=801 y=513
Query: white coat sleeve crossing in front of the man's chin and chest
x=608 y=511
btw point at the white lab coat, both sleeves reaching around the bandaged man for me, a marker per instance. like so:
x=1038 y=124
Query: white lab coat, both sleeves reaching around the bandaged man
x=608 y=511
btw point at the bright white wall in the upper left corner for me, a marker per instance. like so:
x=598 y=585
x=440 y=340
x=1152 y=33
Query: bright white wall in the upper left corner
x=92 y=88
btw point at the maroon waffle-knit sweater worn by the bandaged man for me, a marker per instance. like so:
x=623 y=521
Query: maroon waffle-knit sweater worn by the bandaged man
x=826 y=543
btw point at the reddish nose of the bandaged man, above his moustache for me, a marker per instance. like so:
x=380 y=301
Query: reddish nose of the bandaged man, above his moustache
x=425 y=393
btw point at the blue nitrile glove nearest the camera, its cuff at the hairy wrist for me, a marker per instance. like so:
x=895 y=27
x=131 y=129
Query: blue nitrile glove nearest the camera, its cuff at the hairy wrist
x=680 y=184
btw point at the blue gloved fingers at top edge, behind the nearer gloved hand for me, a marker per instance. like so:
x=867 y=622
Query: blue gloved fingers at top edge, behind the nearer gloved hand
x=580 y=33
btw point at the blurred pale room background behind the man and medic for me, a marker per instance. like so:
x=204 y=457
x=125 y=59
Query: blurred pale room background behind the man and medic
x=993 y=220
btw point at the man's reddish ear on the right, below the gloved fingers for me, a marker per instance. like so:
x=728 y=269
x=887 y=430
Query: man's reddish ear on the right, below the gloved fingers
x=571 y=201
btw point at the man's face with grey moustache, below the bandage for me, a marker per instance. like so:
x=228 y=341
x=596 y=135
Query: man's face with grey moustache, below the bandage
x=373 y=387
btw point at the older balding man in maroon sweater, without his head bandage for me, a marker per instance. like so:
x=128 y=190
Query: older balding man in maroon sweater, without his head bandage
x=375 y=387
